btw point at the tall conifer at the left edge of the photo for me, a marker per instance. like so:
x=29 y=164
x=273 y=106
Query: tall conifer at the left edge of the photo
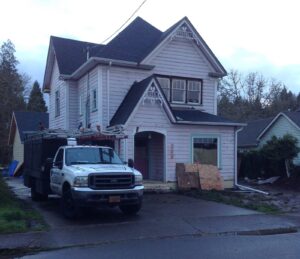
x=11 y=94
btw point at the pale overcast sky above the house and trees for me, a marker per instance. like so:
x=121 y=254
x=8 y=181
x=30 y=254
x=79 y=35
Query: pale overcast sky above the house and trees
x=248 y=35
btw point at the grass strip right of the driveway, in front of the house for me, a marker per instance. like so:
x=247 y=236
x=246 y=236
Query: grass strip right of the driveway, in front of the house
x=235 y=199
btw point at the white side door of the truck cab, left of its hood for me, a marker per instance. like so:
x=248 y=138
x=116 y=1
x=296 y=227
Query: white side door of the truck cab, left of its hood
x=57 y=172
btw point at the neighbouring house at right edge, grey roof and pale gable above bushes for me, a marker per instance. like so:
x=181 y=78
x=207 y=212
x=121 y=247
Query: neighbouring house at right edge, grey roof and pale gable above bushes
x=258 y=132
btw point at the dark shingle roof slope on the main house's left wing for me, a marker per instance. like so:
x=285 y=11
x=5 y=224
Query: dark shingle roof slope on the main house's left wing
x=71 y=54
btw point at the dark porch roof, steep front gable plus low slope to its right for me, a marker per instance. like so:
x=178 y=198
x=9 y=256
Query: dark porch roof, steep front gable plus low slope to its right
x=178 y=116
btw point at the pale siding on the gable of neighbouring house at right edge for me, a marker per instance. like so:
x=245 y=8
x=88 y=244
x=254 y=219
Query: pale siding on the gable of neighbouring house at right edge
x=281 y=127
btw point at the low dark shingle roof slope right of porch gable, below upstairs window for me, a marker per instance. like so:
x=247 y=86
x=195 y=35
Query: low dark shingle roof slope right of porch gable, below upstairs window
x=194 y=115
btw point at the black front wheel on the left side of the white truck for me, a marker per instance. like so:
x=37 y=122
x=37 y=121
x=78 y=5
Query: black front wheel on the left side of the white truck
x=68 y=206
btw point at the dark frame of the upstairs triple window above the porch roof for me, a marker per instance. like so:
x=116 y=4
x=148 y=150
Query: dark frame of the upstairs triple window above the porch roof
x=187 y=79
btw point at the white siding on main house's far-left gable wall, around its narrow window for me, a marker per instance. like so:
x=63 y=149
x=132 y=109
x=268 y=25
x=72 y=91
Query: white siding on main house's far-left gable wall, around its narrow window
x=56 y=122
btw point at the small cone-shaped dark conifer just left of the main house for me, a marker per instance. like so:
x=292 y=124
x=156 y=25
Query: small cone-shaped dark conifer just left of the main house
x=36 y=101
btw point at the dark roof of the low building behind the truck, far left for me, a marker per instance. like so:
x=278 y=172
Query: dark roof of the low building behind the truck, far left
x=29 y=121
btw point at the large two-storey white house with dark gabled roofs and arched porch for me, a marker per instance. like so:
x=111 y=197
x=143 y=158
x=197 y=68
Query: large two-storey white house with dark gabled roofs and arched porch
x=161 y=87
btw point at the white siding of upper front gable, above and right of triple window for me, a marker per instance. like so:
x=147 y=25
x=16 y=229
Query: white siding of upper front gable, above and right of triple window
x=182 y=57
